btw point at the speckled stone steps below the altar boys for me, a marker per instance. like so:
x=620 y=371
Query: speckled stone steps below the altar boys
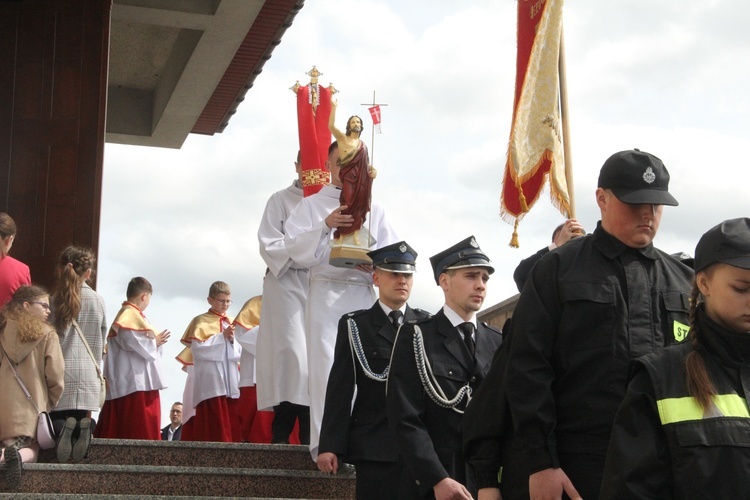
x=190 y=469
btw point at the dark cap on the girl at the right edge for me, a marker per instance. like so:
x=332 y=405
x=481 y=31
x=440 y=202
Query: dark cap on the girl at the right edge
x=729 y=242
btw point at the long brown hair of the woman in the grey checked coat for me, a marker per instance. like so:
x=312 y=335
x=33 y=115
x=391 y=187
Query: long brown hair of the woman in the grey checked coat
x=70 y=274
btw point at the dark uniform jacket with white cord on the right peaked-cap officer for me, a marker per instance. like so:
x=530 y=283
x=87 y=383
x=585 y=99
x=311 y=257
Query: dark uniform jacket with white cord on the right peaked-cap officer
x=428 y=435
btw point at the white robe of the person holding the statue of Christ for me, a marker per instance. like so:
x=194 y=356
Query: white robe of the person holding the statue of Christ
x=334 y=291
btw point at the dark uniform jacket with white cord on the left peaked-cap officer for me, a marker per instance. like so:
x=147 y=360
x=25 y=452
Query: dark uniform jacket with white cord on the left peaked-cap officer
x=361 y=433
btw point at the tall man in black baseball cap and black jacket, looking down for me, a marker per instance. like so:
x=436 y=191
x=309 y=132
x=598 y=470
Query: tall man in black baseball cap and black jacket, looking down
x=587 y=310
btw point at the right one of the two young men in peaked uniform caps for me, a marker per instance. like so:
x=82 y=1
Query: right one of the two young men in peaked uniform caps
x=427 y=391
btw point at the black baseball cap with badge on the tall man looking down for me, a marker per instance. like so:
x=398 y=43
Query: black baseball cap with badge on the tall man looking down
x=636 y=177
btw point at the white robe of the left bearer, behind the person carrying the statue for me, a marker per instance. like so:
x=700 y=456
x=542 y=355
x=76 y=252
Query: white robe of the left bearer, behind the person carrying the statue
x=281 y=360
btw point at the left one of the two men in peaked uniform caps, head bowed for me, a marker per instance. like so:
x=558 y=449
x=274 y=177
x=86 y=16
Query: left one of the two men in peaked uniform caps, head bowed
x=359 y=434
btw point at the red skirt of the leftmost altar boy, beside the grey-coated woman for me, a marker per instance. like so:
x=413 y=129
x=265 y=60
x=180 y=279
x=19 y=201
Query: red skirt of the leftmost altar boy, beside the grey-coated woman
x=135 y=416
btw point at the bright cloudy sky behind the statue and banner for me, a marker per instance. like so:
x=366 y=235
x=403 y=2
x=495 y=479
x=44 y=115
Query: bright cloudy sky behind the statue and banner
x=668 y=77
